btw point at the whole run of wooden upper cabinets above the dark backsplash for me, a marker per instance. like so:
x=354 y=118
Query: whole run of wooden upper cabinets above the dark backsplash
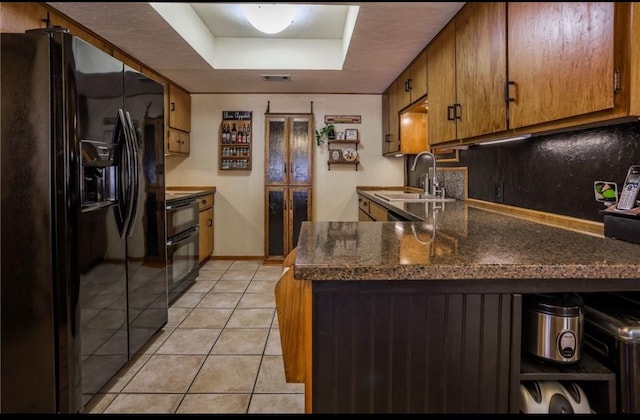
x=564 y=65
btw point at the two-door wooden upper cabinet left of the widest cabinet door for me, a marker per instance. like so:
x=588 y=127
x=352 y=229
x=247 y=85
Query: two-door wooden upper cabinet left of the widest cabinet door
x=467 y=70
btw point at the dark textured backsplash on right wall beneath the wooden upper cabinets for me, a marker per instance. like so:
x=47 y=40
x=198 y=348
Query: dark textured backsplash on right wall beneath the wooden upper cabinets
x=553 y=173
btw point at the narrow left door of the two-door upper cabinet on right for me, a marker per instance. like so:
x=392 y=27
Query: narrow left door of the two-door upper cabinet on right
x=441 y=83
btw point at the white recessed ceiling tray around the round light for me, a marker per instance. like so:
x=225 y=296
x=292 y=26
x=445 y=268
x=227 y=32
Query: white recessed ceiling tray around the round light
x=317 y=38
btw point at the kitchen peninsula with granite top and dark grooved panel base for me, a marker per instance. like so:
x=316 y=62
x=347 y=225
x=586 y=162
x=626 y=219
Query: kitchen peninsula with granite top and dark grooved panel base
x=425 y=316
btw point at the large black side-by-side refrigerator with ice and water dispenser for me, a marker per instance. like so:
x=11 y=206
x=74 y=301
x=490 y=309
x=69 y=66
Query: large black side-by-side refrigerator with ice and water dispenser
x=83 y=233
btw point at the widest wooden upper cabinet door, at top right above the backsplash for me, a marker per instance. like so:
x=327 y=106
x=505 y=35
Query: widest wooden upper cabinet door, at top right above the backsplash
x=561 y=60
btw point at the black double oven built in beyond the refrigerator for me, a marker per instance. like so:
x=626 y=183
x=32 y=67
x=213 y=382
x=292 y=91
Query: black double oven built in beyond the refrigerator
x=182 y=242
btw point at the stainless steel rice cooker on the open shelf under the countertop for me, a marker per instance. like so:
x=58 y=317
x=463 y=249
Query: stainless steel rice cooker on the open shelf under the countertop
x=552 y=326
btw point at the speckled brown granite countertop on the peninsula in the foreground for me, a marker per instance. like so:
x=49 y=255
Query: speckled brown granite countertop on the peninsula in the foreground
x=461 y=242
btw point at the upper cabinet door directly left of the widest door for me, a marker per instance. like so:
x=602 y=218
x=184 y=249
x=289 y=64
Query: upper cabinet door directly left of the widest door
x=481 y=69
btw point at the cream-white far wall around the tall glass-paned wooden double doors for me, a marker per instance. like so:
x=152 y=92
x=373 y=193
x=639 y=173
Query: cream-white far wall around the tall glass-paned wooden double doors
x=239 y=200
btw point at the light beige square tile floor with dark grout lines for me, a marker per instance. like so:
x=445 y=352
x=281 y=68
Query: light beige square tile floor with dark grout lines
x=219 y=353
